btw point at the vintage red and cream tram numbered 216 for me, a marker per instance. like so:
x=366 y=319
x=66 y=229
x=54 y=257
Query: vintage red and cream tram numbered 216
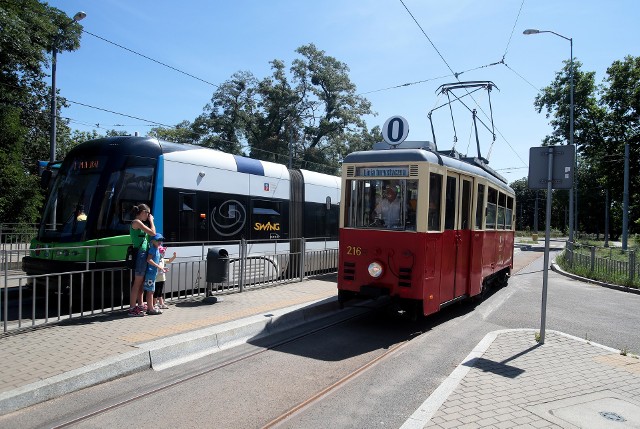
x=449 y=236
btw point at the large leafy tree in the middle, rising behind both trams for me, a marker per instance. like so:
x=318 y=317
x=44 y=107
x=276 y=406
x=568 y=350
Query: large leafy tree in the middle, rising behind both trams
x=312 y=112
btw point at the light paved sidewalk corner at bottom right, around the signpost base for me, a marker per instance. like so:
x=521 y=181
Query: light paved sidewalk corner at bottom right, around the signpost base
x=509 y=380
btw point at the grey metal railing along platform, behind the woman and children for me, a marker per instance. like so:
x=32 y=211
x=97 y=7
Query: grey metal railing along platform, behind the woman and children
x=28 y=301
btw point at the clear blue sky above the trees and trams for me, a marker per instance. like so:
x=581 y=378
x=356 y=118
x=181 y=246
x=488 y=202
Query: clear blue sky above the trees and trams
x=385 y=44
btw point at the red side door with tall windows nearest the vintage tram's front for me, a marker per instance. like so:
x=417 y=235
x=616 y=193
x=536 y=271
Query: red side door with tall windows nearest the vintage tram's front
x=456 y=244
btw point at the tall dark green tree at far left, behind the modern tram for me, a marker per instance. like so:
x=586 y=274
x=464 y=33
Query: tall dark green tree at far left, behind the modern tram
x=29 y=30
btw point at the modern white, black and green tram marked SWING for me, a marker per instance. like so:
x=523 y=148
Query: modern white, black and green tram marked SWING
x=197 y=195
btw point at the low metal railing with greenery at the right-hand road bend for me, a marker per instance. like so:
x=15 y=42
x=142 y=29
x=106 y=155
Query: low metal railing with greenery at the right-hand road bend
x=612 y=262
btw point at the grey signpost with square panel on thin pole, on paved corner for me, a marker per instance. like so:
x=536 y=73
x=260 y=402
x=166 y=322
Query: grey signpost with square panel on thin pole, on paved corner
x=550 y=167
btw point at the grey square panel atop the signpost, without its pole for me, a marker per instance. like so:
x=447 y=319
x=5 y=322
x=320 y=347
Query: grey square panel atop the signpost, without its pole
x=562 y=168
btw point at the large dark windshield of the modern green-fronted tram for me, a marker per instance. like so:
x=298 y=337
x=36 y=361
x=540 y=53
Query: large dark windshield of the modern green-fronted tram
x=92 y=197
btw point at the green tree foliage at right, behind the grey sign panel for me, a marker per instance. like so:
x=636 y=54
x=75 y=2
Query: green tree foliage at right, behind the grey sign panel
x=606 y=117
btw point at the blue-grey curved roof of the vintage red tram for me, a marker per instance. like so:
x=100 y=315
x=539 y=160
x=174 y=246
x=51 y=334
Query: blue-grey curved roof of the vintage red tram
x=472 y=166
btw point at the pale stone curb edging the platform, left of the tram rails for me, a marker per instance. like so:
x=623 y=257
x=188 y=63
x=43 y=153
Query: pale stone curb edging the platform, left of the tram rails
x=174 y=350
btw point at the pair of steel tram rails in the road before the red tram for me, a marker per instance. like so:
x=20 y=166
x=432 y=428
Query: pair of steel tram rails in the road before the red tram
x=201 y=373
